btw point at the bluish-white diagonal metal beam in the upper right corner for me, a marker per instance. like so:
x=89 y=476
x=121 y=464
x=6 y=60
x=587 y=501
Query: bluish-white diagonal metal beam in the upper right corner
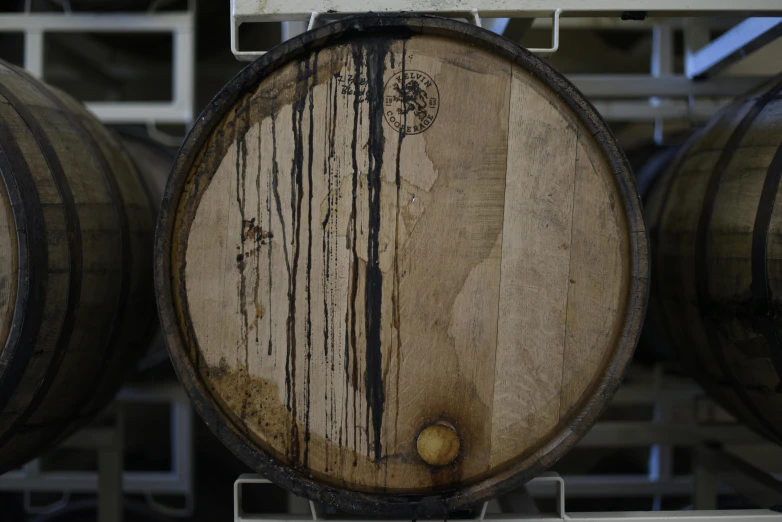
x=747 y=37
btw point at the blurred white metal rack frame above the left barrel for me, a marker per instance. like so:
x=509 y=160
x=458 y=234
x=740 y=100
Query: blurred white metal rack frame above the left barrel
x=181 y=24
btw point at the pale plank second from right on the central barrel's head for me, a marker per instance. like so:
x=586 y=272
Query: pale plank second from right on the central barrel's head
x=536 y=256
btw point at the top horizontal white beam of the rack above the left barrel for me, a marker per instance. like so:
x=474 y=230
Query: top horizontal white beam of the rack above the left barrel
x=96 y=22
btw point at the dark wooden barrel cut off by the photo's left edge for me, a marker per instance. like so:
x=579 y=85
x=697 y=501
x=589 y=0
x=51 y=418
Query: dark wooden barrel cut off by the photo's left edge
x=76 y=295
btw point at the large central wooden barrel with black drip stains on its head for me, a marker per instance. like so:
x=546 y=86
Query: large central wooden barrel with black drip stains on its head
x=400 y=264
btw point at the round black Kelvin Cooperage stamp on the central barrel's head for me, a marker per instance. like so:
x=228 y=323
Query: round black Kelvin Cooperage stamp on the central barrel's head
x=410 y=102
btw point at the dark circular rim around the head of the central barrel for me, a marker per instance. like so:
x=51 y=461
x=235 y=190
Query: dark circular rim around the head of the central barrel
x=238 y=442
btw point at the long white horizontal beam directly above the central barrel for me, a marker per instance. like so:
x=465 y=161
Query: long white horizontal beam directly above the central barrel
x=282 y=10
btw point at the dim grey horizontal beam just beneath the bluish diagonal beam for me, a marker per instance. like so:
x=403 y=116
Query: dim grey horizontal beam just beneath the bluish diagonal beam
x=644 y=86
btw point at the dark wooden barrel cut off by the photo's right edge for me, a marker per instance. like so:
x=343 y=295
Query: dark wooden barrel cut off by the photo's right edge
x=715 y=229
